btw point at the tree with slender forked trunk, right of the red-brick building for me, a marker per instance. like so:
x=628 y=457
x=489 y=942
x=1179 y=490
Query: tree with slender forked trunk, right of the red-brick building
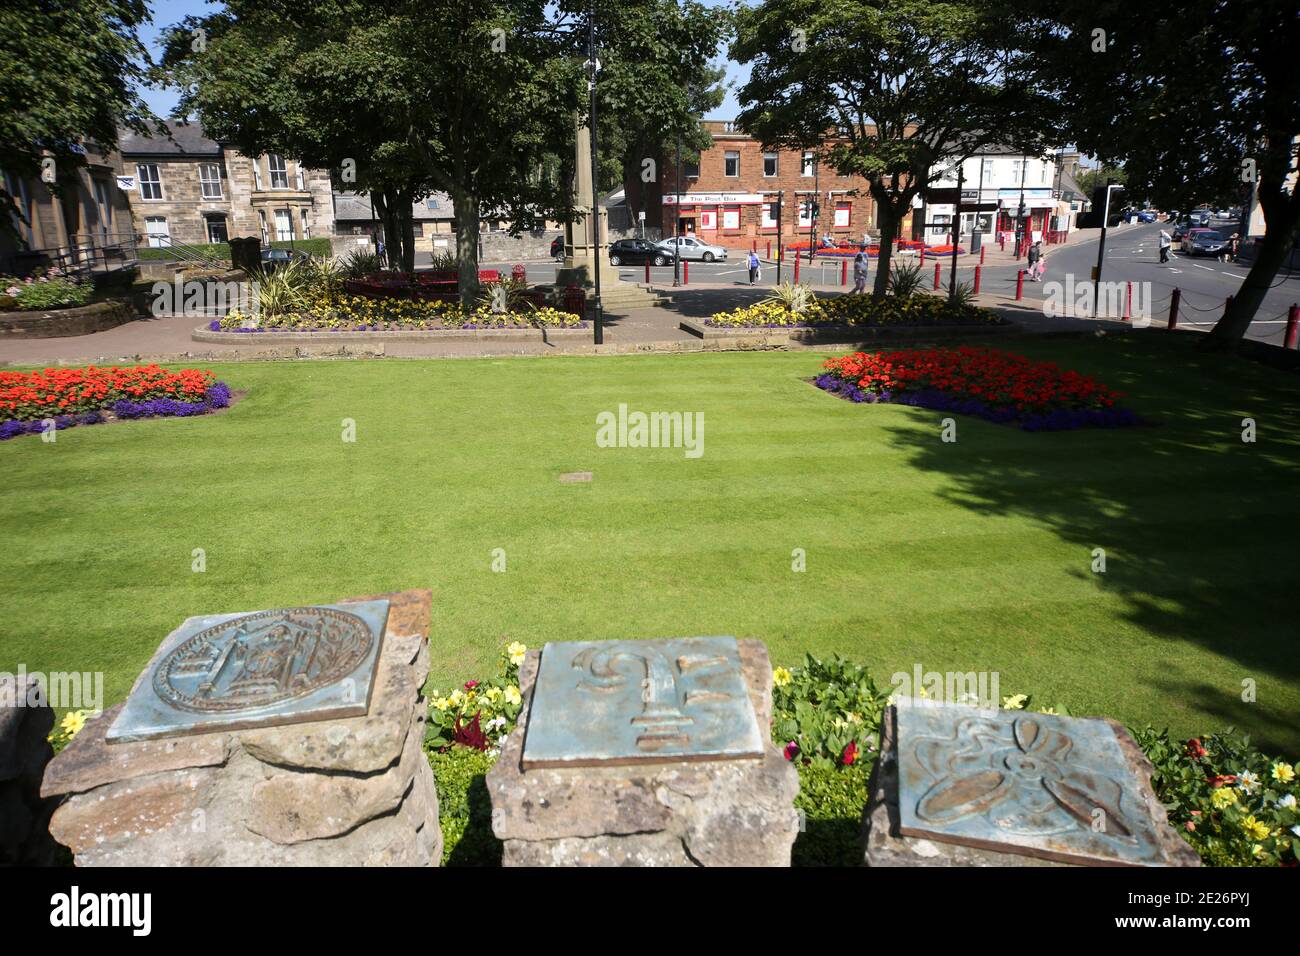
x=902 y=86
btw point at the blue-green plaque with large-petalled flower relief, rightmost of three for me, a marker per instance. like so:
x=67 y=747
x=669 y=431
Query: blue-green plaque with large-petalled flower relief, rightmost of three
x=1039 y=785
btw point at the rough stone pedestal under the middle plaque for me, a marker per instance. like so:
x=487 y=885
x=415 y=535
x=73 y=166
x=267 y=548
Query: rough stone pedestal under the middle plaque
x=683 y=814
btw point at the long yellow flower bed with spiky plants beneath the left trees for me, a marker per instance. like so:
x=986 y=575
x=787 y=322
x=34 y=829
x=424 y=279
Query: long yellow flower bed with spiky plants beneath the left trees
x=366 y=314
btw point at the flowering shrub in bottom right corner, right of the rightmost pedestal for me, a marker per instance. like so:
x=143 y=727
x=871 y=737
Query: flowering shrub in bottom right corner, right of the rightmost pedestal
x=1234 y=804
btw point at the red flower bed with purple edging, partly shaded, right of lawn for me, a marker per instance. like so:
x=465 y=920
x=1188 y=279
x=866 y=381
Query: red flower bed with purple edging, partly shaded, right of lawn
x=991 y=384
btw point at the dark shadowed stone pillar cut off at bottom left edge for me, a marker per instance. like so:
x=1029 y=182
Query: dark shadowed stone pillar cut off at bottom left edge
x=25 y=725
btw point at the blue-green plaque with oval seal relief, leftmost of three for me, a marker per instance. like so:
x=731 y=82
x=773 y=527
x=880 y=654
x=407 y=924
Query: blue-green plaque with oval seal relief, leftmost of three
x=235 y=672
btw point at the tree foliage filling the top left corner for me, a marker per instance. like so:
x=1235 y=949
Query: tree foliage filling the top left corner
x=70 y=76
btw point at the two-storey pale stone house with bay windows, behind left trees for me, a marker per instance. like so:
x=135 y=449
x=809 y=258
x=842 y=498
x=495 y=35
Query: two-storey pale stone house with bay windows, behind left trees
x=190 y=189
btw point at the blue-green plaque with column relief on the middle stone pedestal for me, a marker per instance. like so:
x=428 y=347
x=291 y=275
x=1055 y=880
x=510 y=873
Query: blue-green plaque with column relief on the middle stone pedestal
x=610 y=703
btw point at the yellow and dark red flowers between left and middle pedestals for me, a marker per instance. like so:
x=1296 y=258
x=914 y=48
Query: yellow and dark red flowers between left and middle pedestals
x=480 y=713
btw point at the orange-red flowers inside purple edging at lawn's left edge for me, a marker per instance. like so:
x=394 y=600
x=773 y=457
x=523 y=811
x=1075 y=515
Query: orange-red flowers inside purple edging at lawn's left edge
x=54 y=392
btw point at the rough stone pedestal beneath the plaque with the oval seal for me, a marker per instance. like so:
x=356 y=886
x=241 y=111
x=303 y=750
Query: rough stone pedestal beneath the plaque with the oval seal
x=349 y=791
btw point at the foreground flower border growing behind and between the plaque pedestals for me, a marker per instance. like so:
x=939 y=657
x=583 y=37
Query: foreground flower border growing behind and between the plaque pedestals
x=1232 y=803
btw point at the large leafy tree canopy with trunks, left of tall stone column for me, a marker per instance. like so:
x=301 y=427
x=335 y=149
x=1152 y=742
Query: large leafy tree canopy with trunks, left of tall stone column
x=410 y=97
